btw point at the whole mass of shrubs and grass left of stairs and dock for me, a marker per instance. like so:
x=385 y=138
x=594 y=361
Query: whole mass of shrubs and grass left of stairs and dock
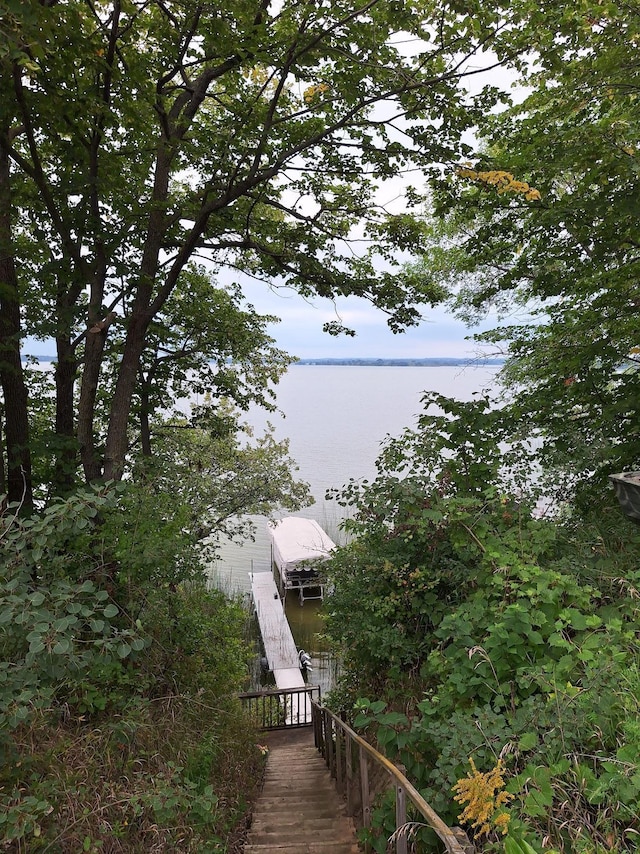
x=116 y=720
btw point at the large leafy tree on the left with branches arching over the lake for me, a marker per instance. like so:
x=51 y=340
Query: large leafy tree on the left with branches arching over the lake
x=140 y=135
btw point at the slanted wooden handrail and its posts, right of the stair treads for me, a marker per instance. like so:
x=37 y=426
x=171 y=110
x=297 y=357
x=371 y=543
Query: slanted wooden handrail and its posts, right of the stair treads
x=324 y=724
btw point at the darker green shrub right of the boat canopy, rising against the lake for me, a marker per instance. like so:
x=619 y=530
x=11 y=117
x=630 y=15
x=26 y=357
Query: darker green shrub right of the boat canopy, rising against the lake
x=427 y=531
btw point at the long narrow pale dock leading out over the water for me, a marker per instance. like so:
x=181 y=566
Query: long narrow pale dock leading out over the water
x=279 y=646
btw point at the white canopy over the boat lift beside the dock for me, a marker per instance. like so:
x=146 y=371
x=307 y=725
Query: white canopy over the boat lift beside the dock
x=298 y=544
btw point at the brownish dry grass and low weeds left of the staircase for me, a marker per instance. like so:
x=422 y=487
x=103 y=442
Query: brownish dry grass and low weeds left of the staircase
x=127 y=782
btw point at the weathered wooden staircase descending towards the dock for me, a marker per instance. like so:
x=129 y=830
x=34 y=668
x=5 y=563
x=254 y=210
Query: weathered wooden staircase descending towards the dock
x=299 y=810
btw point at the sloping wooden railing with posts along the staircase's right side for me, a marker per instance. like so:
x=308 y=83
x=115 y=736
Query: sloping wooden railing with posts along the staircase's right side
x=353 y=763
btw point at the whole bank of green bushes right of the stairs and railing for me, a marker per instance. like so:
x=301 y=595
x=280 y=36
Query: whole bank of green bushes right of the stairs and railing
x=487 y=633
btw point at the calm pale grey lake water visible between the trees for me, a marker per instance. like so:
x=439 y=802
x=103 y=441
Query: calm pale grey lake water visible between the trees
x=335 y=418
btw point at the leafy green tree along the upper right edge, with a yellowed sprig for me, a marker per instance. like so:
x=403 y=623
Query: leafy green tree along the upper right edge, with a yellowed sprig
x=546 y=224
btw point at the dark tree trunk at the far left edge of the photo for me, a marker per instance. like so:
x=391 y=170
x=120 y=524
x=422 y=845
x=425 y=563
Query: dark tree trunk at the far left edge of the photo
x=16 y=433
